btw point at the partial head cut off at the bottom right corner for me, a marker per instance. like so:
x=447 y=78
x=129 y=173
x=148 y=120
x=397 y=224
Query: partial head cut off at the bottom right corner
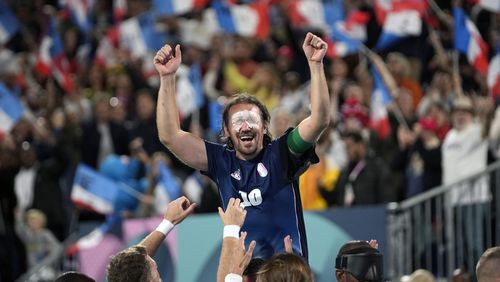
x=488 y=266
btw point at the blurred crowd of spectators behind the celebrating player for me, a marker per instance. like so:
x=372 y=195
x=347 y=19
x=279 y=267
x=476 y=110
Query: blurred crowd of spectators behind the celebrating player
x=109 y=110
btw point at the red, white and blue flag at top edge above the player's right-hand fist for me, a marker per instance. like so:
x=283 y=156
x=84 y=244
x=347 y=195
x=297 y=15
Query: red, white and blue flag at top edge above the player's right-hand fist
x=316 y=13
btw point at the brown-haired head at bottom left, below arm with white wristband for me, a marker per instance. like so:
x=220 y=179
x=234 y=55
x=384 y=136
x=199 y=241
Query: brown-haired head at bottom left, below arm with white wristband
x=133 y=264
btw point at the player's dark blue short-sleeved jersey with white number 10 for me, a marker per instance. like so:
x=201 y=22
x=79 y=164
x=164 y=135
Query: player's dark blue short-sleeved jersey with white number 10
x=268 y=186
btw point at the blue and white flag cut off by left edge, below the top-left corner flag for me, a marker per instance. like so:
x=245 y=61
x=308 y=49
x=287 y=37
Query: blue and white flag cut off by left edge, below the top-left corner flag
x=11 y=109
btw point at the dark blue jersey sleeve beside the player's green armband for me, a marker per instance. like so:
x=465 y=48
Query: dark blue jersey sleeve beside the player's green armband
x=293 y=165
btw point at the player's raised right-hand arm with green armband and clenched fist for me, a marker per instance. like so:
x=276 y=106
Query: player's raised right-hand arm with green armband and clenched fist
x=310 y=128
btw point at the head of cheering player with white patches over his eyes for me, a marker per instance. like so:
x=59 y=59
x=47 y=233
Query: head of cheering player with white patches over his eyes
x=245 y=123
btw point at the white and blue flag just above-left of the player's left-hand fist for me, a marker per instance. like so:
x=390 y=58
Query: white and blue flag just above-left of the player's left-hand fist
x=140 y=35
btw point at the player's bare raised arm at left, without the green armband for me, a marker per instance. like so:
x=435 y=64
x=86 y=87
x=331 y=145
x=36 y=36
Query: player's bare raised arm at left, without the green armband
x=187 y=147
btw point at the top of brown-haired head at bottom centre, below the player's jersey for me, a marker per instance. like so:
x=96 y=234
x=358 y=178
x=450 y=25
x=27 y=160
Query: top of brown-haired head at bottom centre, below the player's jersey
x=286 y=267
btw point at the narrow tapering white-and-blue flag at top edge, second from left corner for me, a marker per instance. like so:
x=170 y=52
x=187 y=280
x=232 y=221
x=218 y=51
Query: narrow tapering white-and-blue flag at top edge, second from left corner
x=80 y=11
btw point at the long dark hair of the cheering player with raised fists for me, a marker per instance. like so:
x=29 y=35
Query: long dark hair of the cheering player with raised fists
x=244 y=98
